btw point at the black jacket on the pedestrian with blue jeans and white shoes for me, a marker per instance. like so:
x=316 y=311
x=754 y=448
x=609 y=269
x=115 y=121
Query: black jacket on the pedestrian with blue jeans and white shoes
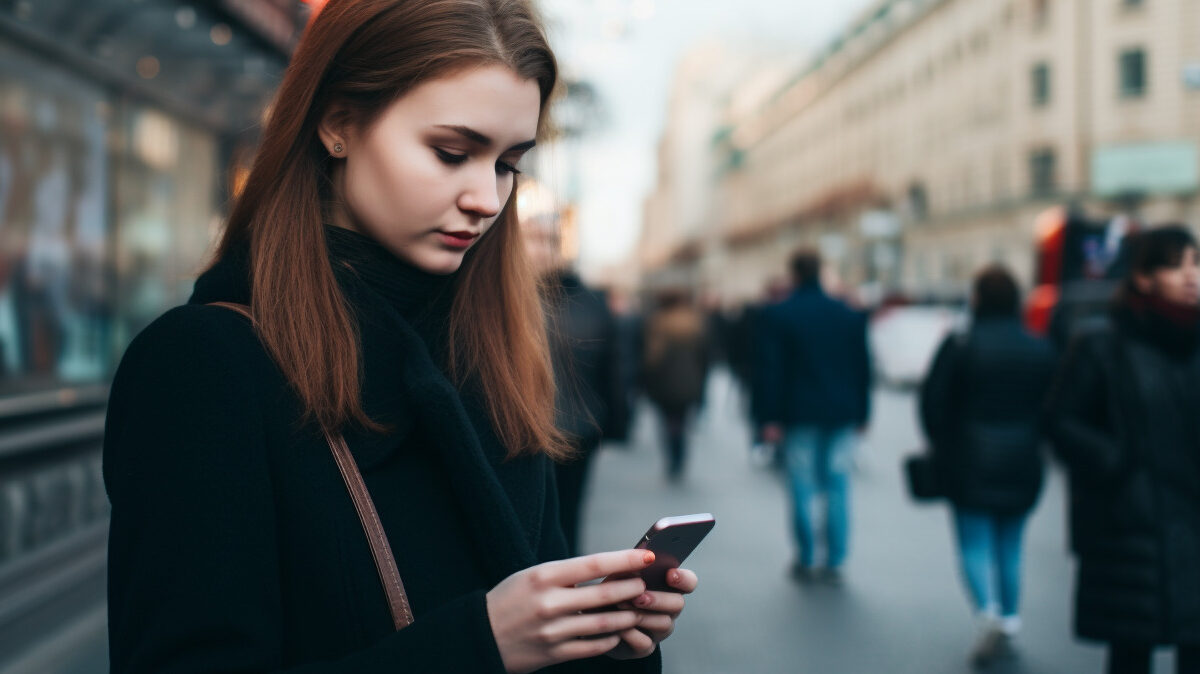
x=981 y=407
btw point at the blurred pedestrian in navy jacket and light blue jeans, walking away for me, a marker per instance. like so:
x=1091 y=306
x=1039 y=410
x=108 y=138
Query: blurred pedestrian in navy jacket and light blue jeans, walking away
x=817 y=398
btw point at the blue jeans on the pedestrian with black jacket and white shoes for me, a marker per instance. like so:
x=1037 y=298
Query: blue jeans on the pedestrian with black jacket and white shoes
x=991 y=552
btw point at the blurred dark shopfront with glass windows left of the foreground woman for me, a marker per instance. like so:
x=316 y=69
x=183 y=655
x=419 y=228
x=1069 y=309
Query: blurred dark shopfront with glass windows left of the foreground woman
x=121 y=122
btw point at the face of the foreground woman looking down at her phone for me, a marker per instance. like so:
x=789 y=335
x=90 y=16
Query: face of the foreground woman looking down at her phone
x=433 y=173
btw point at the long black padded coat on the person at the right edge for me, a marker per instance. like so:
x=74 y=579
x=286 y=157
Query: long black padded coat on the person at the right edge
x=1125 y=422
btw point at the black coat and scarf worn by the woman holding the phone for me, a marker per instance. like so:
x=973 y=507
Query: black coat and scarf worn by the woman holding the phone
x=235 y=545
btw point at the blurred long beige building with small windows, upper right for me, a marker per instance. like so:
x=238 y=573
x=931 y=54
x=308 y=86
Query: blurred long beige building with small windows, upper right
x=925 y=141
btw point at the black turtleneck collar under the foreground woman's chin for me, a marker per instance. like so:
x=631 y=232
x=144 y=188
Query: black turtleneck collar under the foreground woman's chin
x=416 y=294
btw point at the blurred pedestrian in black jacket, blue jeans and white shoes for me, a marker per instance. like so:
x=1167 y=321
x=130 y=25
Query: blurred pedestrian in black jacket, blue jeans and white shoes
x=981 y=408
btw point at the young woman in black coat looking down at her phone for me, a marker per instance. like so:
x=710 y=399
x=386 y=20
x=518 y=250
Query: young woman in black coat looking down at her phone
x=377 y=250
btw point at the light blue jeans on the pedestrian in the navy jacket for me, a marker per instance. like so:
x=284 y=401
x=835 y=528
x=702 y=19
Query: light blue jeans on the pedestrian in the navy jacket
x=819 y=462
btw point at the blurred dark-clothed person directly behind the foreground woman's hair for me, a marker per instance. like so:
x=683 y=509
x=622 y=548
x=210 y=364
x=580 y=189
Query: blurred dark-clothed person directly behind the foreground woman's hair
x=591 y=400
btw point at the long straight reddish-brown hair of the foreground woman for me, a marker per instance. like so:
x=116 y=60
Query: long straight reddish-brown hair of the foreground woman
x=363 y=56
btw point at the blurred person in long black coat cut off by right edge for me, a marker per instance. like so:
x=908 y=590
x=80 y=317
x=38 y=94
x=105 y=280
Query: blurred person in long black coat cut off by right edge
x=1124 y=418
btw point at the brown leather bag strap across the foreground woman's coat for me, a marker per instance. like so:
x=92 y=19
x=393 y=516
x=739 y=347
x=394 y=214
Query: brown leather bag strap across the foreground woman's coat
x=386 y=564
